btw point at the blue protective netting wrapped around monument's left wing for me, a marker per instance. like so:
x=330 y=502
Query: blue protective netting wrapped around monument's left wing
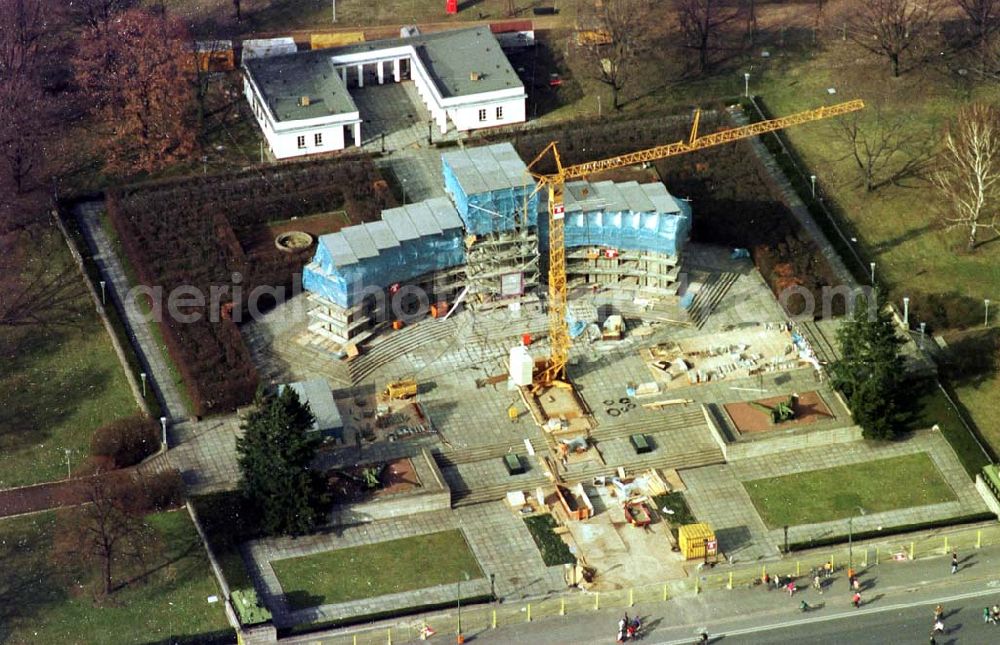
x=346 y=285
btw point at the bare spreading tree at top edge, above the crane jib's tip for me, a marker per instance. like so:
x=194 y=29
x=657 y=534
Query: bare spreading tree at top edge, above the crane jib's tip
x=890 y=28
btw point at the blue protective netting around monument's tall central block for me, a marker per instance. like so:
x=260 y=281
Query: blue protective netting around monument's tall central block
x=492 y=211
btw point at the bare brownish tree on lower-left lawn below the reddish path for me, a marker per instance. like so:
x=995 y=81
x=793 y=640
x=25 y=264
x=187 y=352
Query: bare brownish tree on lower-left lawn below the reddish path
x=110 y=529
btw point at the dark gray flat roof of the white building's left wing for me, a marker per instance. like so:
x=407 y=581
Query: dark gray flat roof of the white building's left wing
x=284 y=80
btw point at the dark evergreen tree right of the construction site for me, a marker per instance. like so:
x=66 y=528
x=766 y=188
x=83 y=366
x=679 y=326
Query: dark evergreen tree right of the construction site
x=870 y=371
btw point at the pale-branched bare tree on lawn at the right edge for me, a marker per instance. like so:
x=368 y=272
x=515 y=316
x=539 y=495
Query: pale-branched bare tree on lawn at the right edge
x=969 y=172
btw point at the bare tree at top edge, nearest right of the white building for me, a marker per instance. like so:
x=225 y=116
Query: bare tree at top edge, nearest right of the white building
x=622 y=26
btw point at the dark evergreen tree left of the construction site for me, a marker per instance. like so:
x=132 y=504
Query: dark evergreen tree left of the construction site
x=274 y=455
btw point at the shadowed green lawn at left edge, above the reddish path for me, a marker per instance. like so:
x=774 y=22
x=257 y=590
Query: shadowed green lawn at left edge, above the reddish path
x=59 y=382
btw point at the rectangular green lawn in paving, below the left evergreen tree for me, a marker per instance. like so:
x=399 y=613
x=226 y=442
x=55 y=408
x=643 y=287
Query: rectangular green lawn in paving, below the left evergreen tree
x=377 y=569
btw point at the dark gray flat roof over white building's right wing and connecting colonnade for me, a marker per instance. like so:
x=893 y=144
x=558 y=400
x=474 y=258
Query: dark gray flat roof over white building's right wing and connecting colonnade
x=451 y=57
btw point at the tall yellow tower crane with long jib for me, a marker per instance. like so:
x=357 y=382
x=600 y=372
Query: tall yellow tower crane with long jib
x=555 y=369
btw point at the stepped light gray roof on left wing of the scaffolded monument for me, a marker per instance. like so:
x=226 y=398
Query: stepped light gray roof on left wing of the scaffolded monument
x=353 y=244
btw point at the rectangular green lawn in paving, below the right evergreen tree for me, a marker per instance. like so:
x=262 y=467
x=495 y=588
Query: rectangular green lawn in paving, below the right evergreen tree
x=836 y=493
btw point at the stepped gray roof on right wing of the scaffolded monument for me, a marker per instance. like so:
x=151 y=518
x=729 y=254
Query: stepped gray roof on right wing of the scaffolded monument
x=612 y=197
